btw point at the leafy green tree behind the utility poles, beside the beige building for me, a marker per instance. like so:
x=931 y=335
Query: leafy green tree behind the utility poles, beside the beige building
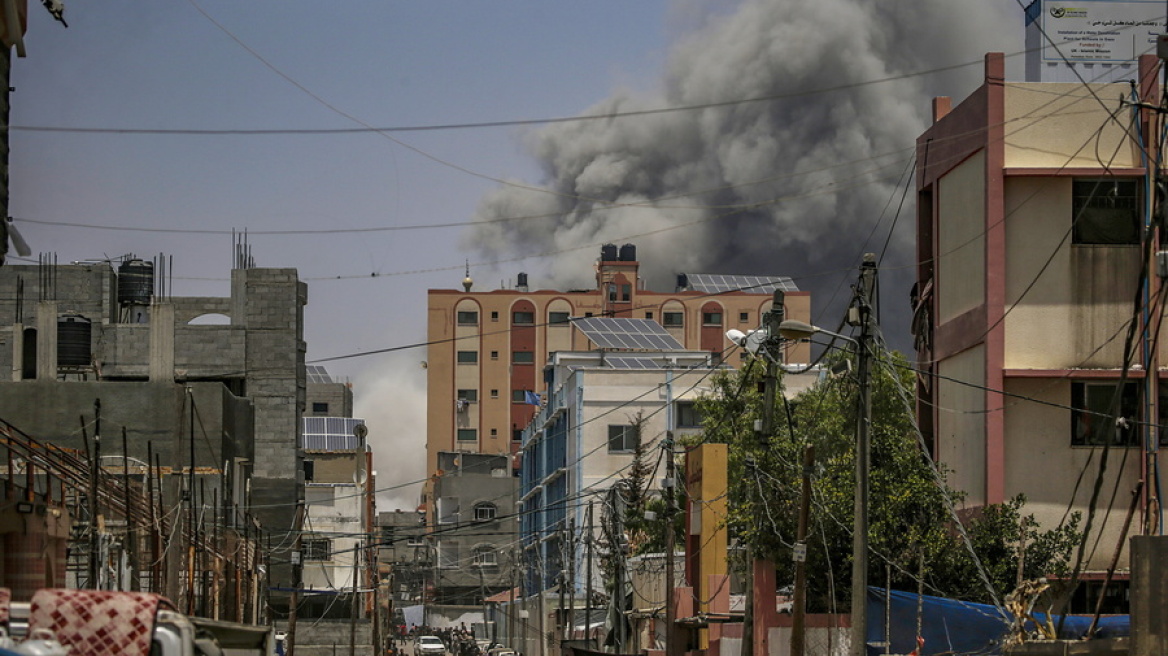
x=912 y=531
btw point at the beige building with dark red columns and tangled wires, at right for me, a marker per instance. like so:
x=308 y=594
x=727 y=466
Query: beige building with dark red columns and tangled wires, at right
x=1033 y=204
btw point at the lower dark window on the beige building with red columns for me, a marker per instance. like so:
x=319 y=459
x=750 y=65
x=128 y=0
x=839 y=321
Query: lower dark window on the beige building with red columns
x=1091 y=422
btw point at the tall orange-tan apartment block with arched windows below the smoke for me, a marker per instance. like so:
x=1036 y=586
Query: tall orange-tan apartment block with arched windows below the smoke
x=488 y=350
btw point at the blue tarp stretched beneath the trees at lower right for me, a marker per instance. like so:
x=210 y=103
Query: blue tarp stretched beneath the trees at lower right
x=950 y=626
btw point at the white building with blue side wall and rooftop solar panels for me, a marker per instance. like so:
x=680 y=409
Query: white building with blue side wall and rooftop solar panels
x=600 y=417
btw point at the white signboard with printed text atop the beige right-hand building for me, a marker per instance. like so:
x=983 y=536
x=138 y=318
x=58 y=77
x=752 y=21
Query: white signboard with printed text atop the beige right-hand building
x=1101 y=31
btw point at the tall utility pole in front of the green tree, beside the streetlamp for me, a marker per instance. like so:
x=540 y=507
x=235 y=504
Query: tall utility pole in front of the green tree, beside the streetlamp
x=864 y=436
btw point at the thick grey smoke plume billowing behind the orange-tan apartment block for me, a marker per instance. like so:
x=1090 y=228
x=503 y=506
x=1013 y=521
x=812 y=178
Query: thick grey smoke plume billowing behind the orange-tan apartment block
x=792 y=186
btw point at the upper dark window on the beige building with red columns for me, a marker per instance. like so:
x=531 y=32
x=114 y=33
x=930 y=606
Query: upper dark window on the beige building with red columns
x=1107 y=212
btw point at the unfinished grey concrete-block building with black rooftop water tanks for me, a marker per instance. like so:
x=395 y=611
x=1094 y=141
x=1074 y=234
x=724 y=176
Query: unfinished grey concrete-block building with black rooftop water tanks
x=215 y=383
